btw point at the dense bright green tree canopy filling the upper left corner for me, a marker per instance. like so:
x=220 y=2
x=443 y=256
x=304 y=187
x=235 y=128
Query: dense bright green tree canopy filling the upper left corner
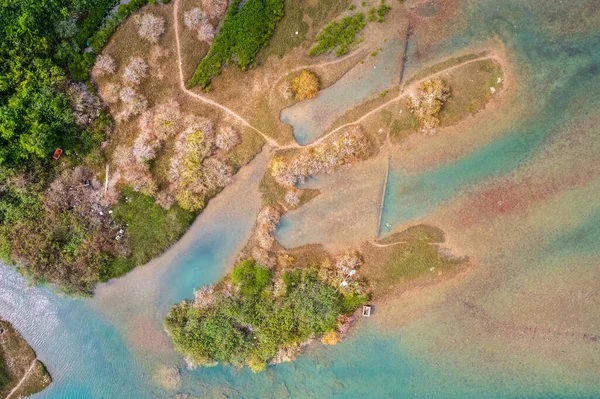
x=38 y=39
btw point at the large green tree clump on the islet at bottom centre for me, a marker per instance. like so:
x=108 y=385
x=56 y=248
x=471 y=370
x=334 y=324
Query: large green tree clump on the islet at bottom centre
x=253 y=313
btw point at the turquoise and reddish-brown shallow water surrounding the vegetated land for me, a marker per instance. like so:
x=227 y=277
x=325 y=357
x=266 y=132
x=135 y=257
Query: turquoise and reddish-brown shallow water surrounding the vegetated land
x=513 y=187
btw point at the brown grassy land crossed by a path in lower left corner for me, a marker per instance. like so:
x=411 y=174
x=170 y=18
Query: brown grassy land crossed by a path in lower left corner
x=15 y=358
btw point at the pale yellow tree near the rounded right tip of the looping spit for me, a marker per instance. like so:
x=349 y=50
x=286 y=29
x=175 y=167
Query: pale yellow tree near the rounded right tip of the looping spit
x=428 y=102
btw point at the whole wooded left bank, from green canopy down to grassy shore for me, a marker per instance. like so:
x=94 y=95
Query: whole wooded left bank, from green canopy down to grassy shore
x=54 y=224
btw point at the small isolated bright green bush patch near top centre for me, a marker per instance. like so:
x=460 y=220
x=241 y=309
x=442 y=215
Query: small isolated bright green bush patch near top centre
x=339 y=35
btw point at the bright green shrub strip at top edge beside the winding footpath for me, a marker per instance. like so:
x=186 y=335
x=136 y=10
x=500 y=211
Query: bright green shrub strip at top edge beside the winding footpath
x=244 y=32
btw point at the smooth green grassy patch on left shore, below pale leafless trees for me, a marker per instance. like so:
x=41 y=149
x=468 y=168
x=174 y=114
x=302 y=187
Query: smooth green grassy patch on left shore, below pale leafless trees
x=150 y=229
